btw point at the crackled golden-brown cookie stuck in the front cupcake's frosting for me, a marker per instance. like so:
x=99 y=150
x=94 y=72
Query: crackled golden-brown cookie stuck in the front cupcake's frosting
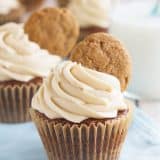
x=102 y=52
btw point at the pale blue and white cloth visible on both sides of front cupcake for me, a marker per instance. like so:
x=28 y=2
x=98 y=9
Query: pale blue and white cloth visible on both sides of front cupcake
x=21 y=142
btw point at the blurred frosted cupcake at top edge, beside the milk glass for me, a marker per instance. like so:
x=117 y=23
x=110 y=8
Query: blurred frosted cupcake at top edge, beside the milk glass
x=93 y=16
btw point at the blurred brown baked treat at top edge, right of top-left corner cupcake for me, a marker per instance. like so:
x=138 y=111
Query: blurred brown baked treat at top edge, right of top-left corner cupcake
x=31 y=4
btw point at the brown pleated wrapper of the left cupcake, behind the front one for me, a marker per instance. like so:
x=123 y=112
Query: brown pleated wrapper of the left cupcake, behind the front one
x=15 y=101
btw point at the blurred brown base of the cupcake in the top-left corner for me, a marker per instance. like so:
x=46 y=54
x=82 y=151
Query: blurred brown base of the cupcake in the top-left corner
x=13 y=16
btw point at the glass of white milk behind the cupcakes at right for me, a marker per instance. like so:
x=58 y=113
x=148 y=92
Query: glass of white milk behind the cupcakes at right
x=140 y=33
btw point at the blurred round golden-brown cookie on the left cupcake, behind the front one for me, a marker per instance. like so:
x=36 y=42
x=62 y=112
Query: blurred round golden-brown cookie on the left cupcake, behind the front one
x=53 y=29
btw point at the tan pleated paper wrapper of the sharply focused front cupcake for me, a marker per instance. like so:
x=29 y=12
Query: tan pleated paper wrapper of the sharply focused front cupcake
x=93 y=141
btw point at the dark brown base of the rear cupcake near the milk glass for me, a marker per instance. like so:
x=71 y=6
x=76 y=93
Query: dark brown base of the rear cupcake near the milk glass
x=89 y=30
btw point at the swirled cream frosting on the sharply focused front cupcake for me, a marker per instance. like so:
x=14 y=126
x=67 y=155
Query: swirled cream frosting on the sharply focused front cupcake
x=76 y=93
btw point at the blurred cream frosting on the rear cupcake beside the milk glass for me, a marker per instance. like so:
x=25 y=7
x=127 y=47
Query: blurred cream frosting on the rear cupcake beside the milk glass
x=91 y=12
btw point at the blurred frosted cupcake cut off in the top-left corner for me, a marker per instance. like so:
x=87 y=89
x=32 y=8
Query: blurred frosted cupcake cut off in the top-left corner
x=10 y=11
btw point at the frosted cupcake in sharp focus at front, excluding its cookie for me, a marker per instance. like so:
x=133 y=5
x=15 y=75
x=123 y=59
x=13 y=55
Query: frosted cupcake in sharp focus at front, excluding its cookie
x=80 y=113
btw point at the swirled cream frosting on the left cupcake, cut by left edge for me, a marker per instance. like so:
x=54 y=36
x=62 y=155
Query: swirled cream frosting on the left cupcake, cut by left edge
x=21 y=59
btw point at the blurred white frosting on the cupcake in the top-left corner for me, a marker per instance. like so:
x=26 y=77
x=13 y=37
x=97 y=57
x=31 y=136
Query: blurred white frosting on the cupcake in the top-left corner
x=7 y=5
